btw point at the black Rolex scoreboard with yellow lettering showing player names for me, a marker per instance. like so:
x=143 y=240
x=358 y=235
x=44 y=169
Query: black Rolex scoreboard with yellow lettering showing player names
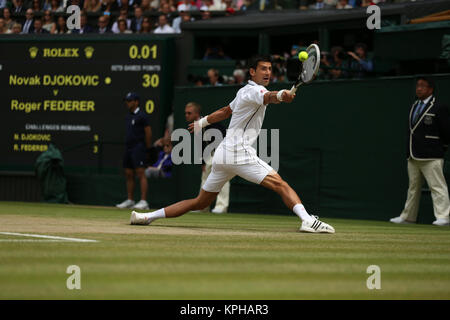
x=69 y=91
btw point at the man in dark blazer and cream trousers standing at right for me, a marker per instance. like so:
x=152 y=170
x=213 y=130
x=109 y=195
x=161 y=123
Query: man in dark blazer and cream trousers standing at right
x=428 y=139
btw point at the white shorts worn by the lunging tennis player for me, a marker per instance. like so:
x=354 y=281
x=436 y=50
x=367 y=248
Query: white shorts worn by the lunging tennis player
x=254 y=170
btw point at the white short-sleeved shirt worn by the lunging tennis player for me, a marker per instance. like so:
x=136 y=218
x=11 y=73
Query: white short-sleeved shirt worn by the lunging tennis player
x=245 y=125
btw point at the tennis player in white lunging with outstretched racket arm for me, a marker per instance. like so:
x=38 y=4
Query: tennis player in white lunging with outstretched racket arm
x=235 y=154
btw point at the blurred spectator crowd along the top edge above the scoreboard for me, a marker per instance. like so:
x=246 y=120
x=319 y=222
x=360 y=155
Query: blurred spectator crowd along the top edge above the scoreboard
x=132 y=16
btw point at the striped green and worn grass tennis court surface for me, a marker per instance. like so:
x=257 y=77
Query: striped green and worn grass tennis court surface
x=208 y=256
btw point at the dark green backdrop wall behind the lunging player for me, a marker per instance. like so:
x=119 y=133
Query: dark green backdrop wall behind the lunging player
x=342 y=147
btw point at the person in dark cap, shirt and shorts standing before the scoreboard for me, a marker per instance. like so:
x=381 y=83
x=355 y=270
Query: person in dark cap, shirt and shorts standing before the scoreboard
x=138 y=142
